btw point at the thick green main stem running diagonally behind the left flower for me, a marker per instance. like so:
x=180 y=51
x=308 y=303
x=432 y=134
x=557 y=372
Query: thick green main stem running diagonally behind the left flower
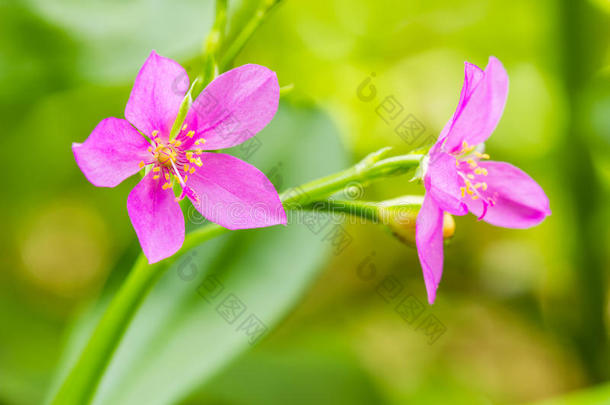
x=80 y=385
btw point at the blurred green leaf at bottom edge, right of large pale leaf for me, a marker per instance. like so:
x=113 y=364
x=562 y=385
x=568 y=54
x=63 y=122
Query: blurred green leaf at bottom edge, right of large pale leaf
x=327 y=373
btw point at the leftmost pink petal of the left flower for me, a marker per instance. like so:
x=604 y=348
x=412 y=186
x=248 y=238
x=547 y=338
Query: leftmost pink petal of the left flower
x=111 y=153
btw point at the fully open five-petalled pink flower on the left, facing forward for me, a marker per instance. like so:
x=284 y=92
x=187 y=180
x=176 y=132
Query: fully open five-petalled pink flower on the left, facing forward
x=226 y=190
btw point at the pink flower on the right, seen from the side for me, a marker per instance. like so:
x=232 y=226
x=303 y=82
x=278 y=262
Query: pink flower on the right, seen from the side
x=459 y=179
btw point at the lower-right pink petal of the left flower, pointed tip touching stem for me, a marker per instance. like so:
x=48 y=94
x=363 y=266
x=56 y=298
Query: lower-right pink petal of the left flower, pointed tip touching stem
x=234 y=194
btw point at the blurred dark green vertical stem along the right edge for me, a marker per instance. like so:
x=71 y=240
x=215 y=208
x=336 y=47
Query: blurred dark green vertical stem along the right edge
x=586 y=309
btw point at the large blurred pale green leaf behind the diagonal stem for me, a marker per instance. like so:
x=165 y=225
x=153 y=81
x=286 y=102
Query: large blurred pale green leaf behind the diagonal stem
x=179 y=339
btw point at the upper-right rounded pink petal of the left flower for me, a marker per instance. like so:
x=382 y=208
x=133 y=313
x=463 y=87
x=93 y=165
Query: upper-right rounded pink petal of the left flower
x=234 y=107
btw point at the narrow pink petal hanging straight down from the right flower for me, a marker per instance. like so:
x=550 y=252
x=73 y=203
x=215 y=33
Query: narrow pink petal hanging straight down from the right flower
x=429 y=241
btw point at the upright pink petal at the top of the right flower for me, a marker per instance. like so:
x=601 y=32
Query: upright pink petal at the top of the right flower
x=480 y=108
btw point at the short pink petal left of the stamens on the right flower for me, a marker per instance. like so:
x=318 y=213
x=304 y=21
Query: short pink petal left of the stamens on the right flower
x=442 y=183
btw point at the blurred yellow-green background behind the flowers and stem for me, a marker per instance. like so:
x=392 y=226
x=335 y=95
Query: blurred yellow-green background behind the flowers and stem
x=522 y=314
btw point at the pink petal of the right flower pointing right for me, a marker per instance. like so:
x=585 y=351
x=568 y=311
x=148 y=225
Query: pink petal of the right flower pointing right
x=519 y=202
